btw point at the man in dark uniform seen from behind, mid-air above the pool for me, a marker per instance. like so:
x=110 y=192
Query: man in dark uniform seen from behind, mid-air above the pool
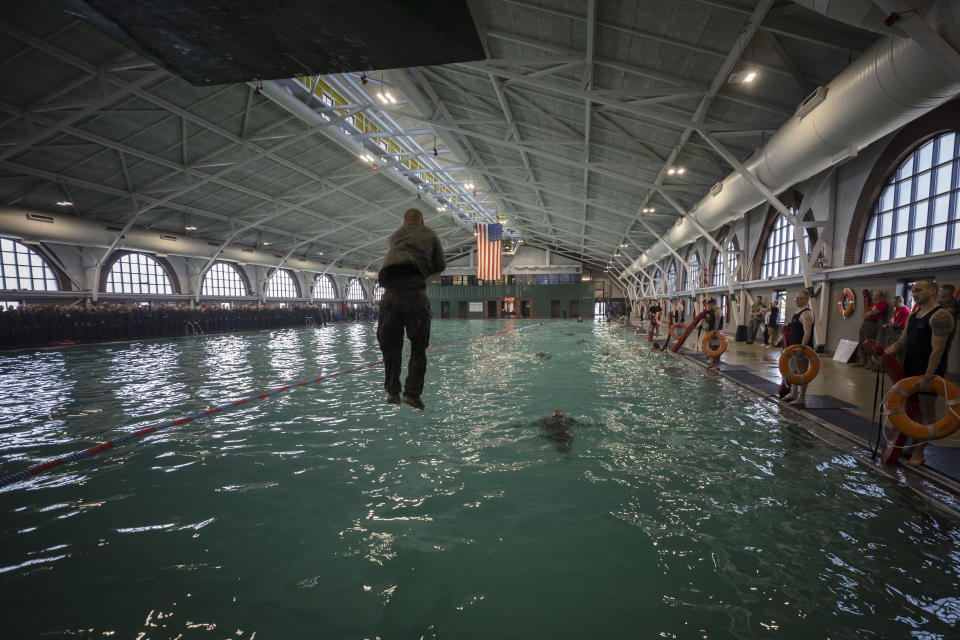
x=414 y=253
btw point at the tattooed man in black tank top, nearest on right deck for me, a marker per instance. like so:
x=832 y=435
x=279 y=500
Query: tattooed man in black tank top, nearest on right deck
x=925 y=344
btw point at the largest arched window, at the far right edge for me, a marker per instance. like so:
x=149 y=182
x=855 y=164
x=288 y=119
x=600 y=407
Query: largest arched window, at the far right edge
x=916 y=212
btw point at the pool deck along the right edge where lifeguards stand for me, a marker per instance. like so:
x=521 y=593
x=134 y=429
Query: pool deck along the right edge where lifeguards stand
x=841 y=398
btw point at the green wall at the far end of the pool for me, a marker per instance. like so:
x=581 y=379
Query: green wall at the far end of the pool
x=548 y=300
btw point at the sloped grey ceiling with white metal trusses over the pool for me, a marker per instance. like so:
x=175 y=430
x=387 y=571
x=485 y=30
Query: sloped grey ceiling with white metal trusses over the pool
x=566 y=133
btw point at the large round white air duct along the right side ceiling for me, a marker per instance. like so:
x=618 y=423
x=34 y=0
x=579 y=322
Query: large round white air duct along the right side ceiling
x=894 y=82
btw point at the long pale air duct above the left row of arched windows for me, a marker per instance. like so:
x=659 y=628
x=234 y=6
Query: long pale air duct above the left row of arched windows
x=36 y=226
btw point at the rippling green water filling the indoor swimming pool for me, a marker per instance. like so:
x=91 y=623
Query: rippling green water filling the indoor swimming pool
x=683 y=508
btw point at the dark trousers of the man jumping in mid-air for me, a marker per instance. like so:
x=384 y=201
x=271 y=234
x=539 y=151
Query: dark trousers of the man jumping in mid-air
x=404 y=309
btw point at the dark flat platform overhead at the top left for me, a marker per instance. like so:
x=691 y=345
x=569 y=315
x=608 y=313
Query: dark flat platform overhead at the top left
x=229 y=41
